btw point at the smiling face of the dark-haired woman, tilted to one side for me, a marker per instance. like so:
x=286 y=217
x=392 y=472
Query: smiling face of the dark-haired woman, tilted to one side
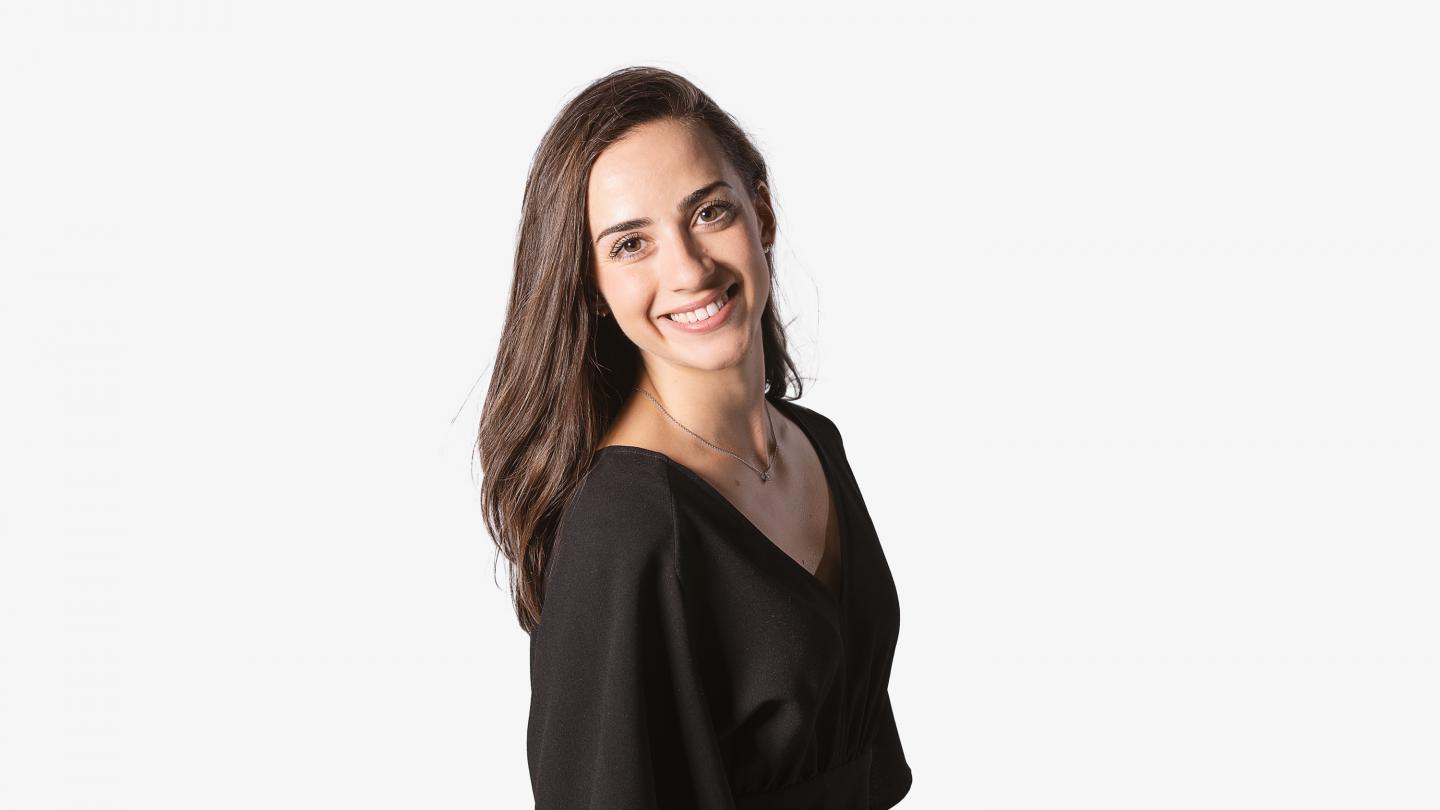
x=673 y=230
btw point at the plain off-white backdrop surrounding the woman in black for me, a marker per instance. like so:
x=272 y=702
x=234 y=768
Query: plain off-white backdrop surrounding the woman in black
x=1128 y=313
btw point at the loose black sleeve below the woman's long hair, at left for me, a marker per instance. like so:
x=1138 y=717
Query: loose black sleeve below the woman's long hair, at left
x=618 y=718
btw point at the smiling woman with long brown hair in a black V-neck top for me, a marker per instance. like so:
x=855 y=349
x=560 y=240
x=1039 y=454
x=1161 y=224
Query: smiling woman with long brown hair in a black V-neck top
x=712 y=618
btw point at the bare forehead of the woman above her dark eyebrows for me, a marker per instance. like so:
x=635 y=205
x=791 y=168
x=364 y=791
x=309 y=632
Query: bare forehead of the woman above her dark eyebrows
x=650 y=169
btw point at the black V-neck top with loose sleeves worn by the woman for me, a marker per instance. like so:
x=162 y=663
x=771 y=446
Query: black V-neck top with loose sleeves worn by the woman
x=685 y=661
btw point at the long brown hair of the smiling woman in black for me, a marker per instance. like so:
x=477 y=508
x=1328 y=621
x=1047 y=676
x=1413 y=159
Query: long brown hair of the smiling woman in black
x=562 y=373
